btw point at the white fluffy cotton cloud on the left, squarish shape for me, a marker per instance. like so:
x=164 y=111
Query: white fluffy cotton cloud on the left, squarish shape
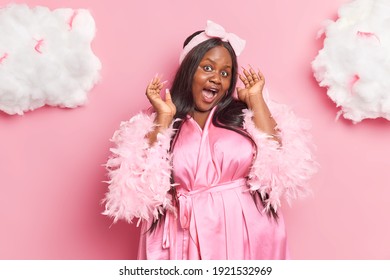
x=45 y=58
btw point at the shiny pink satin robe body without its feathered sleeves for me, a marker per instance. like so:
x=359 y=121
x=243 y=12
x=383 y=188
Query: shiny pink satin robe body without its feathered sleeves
x=217 y=216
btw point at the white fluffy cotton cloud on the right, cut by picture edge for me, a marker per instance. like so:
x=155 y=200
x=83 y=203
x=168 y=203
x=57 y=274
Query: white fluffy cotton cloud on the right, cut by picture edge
x=354 y=63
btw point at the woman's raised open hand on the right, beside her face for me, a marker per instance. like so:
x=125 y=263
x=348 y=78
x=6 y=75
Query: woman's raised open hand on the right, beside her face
x=254 y=84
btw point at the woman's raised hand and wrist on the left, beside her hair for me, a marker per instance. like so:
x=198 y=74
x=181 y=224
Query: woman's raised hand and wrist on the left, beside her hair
x=165 y=109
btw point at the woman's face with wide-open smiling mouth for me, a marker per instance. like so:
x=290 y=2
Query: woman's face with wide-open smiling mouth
x=212 y=78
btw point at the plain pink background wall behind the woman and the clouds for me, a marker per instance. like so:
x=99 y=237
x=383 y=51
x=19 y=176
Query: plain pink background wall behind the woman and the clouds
x=51 y=159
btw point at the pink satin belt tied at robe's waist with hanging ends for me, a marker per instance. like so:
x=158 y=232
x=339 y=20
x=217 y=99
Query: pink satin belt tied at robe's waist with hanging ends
x=185 y=205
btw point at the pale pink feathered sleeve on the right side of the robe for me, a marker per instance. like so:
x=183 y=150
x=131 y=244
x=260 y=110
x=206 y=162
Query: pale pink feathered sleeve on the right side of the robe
x=281 y=170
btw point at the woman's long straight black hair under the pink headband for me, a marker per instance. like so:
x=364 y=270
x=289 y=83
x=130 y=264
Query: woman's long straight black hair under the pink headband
x=228 y=113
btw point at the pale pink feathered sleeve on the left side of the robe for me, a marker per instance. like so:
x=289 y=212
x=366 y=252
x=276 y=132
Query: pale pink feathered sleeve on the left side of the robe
x=139 y=174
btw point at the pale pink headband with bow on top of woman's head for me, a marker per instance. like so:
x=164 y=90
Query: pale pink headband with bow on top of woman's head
x=214 y=30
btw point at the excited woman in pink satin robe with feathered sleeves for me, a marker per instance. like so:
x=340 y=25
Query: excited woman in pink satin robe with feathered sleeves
x=206 y=171
